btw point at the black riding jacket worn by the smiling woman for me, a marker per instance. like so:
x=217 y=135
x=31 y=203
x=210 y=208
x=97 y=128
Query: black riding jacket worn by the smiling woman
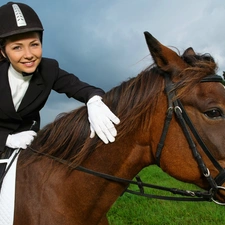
x=47 y=77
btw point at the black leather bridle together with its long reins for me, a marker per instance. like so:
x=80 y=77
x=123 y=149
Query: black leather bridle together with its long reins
x=174 y=106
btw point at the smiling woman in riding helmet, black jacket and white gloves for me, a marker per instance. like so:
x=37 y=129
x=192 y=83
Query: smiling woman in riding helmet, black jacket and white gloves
x=26 y=80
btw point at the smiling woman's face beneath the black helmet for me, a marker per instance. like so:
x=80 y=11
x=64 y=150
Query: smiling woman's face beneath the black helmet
x=24 y=51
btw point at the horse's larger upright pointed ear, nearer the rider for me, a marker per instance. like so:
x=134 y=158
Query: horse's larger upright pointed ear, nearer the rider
x=164 y=57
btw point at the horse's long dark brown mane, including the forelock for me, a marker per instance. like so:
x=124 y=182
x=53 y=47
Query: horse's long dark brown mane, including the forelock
x=68 y=136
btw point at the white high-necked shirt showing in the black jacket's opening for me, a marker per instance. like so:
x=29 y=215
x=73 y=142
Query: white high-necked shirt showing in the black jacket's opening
x=18 y=85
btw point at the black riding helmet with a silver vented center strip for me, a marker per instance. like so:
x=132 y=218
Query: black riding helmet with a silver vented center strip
x=17 y=18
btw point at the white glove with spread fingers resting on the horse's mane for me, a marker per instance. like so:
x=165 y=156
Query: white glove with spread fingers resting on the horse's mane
x=101 y=120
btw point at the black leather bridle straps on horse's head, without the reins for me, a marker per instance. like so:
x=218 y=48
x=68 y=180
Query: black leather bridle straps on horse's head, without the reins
x=175 y=106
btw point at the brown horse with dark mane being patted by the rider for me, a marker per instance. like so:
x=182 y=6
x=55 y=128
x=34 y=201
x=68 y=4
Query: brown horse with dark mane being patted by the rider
x=50 y=190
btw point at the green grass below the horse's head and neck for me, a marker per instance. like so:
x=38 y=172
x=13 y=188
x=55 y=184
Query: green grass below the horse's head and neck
x=136 y=210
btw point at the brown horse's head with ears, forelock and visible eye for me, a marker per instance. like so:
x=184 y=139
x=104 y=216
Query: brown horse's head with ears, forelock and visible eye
x=196 y=96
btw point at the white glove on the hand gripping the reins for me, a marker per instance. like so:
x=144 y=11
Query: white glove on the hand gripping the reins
x=20 y=140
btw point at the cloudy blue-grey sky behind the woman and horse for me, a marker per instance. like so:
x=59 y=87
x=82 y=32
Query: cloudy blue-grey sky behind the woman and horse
x=102 y=41
